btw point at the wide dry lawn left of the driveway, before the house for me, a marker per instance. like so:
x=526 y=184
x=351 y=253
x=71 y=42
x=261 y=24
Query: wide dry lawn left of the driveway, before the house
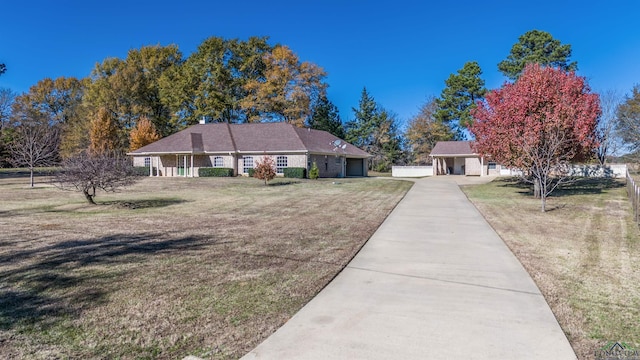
x=173 y=266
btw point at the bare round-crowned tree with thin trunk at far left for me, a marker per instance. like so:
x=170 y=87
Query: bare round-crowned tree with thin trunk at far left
x=34 y=144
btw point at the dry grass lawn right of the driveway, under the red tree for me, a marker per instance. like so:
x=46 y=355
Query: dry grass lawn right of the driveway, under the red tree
x=583 y=254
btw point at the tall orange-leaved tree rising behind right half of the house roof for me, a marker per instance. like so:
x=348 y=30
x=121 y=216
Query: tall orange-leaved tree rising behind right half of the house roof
x=287 y=91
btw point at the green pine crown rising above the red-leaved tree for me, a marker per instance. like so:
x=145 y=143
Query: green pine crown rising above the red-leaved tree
x=536 y=47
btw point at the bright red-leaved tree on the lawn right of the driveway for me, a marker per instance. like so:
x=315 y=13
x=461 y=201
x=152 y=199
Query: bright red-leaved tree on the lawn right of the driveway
x=539 y=124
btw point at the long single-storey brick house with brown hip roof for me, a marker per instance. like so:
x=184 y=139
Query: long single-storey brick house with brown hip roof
x=239 y=146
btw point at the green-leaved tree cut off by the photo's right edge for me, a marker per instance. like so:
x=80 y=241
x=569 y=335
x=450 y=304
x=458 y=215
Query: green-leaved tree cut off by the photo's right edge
x=628 y=121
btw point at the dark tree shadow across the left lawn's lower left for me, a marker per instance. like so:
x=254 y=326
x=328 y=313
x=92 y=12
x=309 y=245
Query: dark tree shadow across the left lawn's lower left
x=63 y=280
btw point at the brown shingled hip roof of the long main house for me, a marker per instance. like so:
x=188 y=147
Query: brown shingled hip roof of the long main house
x=249 y=138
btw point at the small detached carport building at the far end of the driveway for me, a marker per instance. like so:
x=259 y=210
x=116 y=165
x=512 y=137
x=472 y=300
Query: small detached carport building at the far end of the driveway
x=458 y=158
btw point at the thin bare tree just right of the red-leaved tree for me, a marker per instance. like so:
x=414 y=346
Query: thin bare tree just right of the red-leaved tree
x=609 y=139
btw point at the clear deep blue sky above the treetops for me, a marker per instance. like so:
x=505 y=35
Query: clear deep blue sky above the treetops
x=402 y=51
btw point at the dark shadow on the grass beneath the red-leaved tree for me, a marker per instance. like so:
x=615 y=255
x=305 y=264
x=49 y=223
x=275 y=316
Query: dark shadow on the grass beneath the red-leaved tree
x=577 y=186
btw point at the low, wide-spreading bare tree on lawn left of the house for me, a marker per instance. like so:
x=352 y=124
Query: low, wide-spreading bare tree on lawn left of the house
x=90 y=172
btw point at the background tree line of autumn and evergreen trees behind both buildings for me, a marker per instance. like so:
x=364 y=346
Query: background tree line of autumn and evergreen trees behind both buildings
x=155 y=91
